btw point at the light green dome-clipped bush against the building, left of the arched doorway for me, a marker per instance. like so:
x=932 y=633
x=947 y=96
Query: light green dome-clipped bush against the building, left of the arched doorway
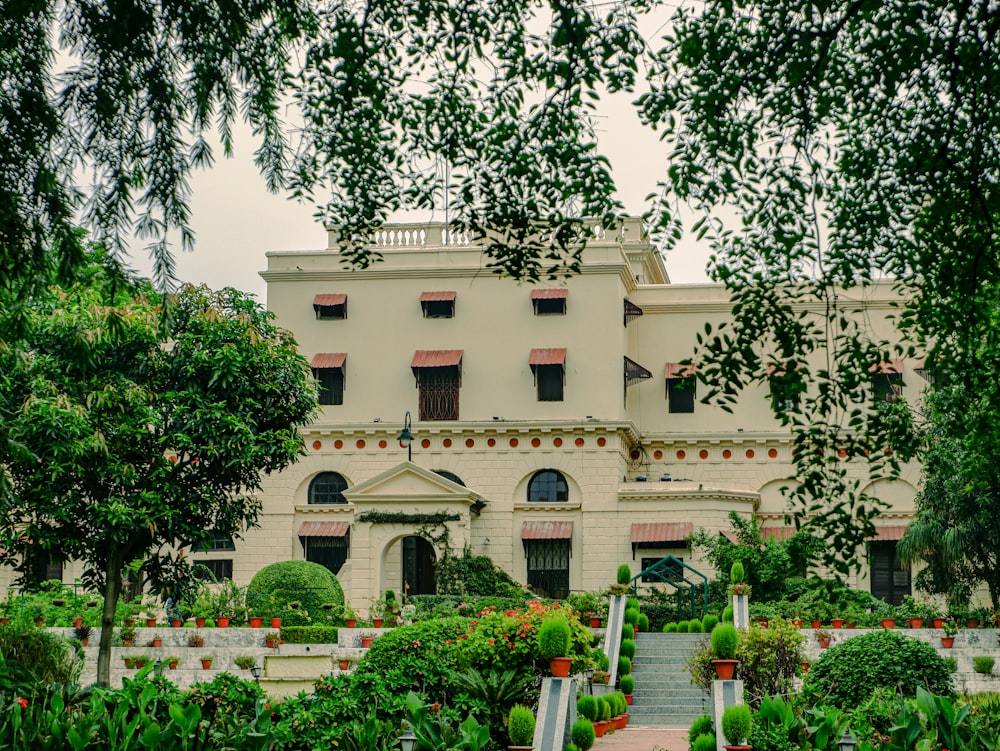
x=275 y=587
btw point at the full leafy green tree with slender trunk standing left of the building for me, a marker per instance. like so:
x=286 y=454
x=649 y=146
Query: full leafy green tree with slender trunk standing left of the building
x=138 y=431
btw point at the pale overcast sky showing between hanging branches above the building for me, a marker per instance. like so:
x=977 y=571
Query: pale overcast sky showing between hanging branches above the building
x=237 y=221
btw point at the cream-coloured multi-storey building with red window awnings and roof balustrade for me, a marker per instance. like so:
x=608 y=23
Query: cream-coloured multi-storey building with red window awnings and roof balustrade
x=551 y=429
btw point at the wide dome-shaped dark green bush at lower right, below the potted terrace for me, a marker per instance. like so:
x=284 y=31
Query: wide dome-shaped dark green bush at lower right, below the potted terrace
x=848 y=673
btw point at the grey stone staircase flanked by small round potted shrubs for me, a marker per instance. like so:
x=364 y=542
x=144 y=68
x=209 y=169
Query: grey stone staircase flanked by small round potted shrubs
x=664 y=695
